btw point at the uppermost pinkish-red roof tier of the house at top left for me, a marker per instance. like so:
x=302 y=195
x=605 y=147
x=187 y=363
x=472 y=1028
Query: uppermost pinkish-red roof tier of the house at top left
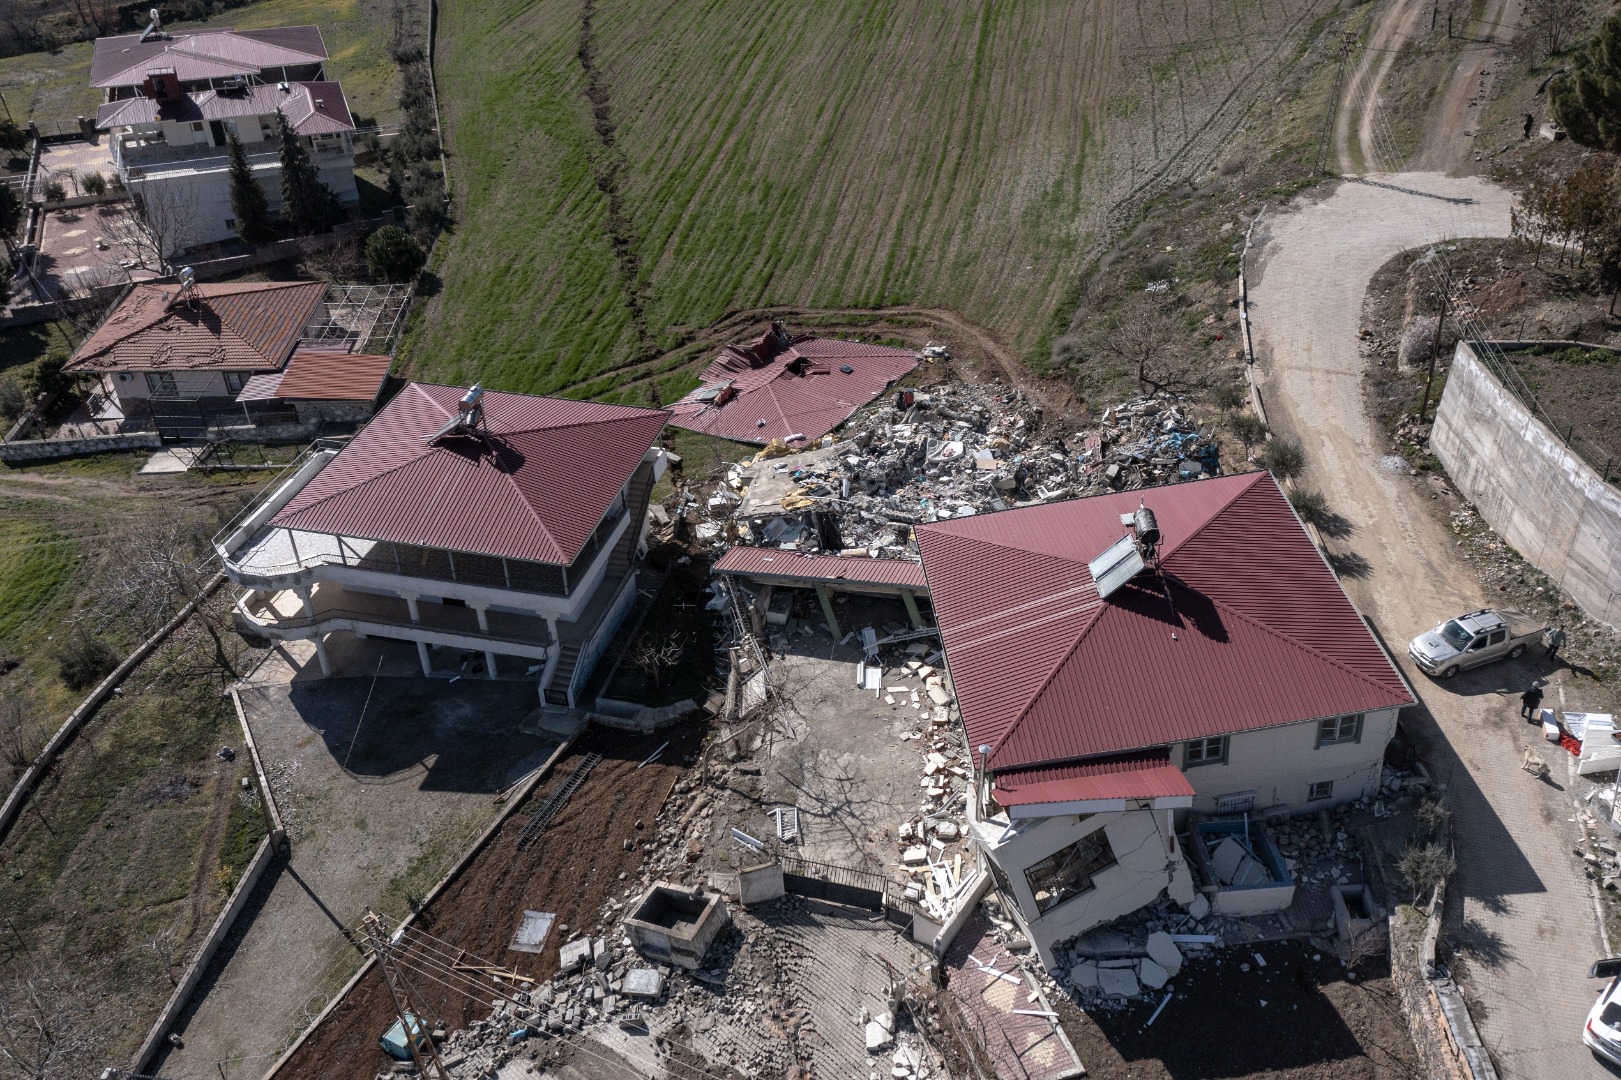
x=215 y=53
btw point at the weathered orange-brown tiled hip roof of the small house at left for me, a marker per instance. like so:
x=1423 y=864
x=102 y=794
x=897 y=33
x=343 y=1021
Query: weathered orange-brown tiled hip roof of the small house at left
x=236 y=327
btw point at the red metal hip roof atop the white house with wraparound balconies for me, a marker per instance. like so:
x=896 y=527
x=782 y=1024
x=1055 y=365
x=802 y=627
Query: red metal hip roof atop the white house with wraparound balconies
x=534 y=487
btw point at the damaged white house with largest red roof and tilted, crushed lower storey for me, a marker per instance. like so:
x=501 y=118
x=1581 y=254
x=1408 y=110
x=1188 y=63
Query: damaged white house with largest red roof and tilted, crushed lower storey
x=1118 y=672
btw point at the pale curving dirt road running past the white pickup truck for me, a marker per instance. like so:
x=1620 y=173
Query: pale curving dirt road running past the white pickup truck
x=1528 y=917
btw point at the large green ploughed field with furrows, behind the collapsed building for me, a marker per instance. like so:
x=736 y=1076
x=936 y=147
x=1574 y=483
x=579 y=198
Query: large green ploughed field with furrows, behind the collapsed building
x=821 y=155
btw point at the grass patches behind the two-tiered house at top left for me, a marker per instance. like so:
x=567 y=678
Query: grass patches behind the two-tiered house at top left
x=56 y=87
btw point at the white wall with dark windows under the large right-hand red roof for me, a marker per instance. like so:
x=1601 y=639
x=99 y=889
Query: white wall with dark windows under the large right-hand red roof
x=1280 y=765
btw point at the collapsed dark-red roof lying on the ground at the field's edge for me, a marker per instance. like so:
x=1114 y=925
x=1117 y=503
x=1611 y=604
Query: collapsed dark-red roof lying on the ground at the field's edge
x=793 y=385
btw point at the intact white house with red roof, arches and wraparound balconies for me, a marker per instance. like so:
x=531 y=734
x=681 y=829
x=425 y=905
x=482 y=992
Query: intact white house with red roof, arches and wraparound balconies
x=497 y=533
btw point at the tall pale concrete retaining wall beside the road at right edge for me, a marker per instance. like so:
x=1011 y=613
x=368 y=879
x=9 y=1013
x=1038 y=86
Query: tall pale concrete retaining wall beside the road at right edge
x=1541 y=497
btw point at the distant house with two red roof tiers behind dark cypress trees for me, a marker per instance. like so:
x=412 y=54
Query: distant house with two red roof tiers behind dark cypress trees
x=171 y=101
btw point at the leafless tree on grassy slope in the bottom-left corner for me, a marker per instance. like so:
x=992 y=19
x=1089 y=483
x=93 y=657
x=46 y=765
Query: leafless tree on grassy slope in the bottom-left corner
x=53 y=1019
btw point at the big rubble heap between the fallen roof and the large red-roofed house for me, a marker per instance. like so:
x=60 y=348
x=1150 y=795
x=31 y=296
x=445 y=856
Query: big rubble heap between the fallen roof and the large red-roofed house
x=952 y=452
